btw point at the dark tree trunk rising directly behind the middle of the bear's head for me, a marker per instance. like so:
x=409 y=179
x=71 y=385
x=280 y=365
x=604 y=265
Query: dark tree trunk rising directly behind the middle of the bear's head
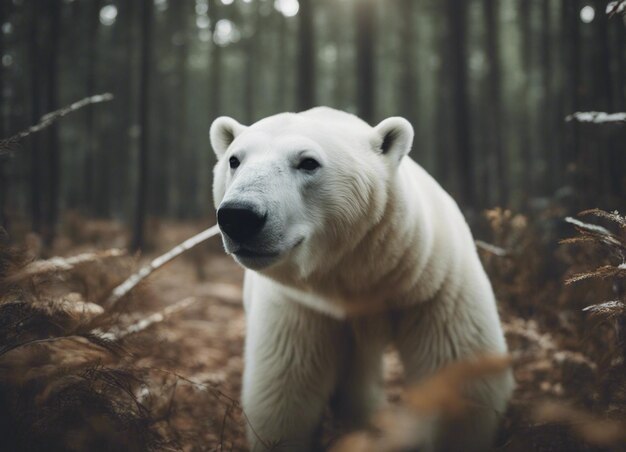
x=306 y=57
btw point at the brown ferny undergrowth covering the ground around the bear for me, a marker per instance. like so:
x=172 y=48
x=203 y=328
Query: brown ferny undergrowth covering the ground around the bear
x=149 y=377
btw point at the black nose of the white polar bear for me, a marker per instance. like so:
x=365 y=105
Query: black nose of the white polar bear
x=240 y=221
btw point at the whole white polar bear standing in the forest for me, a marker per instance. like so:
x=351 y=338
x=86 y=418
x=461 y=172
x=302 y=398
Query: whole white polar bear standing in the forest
x=349 y=246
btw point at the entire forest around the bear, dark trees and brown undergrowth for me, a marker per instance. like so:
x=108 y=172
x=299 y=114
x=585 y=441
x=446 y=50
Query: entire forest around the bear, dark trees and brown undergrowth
x=121 y=318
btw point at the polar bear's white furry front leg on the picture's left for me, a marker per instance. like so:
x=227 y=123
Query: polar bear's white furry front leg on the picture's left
x=291 y=365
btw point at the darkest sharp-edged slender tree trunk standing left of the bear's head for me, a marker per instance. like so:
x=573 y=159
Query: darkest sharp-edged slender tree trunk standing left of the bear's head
x=138 y=241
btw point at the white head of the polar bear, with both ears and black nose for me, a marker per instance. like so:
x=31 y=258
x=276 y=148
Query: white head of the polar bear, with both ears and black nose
x=294 y=192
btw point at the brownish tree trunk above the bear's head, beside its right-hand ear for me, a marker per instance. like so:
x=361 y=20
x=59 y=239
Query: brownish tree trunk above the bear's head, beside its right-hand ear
x=365 y=76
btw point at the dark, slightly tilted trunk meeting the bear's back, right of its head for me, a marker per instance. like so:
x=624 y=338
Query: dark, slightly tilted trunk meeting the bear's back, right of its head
x=456 y=13
